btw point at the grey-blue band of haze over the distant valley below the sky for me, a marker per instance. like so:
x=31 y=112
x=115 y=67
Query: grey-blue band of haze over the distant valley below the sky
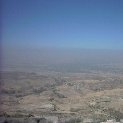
x=62 y=59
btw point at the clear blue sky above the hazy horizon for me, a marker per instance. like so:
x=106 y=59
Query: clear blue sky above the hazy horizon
x=88 y=24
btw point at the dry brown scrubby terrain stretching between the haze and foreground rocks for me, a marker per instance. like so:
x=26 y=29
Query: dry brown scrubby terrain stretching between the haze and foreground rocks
x=94 y=95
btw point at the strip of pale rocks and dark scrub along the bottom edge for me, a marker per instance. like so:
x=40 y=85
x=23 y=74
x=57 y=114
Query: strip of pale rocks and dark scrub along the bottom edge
x=52 y=119
